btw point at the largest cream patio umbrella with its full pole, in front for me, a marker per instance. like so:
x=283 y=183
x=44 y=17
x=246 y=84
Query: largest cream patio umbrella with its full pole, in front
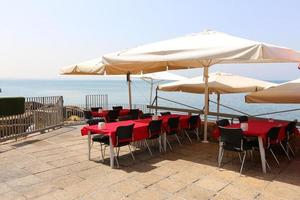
x=197 y=50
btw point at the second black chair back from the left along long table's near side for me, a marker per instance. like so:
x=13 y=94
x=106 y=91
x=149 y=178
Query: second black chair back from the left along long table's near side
x=154 y=132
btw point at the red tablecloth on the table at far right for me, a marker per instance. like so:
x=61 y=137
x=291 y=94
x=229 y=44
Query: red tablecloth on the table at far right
x=256 y=128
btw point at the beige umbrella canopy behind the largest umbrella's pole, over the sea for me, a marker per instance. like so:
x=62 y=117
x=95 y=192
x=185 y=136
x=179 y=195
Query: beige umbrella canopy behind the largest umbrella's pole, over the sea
x=219 y=82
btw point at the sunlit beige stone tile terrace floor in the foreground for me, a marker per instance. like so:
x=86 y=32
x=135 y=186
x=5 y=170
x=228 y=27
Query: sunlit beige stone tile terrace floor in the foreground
x=54 y=165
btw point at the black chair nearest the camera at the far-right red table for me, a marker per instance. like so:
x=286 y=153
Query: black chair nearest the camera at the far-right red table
x=232 y=140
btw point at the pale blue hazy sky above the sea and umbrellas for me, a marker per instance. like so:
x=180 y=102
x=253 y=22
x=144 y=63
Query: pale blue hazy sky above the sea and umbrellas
x=38 y=37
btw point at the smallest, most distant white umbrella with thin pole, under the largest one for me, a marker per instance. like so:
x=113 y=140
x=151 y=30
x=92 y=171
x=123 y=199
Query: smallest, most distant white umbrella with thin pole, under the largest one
x=158 y=77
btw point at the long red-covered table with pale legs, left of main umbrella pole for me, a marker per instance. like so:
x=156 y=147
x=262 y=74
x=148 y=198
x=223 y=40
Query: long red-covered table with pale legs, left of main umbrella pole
x=140 y=131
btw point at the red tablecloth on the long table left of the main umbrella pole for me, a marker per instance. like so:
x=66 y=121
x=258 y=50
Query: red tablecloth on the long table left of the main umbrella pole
x=140 y=130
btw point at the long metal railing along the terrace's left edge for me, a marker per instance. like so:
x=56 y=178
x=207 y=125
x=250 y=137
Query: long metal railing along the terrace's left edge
x=41 y=113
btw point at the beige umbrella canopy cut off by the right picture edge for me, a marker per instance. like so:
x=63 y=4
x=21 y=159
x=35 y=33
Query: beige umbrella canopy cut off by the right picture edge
x=284 y=93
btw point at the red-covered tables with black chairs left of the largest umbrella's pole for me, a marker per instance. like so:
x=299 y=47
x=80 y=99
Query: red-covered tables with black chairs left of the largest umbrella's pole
x=134 y=127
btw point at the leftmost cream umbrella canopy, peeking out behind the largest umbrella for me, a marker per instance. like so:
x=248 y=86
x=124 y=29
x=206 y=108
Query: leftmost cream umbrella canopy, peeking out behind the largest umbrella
x=90 y=67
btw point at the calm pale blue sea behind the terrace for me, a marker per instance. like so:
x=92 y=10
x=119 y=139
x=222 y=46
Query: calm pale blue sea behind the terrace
x=74 y=91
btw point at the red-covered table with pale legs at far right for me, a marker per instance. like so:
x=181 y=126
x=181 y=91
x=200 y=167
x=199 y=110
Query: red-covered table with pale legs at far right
x=259 y=129
